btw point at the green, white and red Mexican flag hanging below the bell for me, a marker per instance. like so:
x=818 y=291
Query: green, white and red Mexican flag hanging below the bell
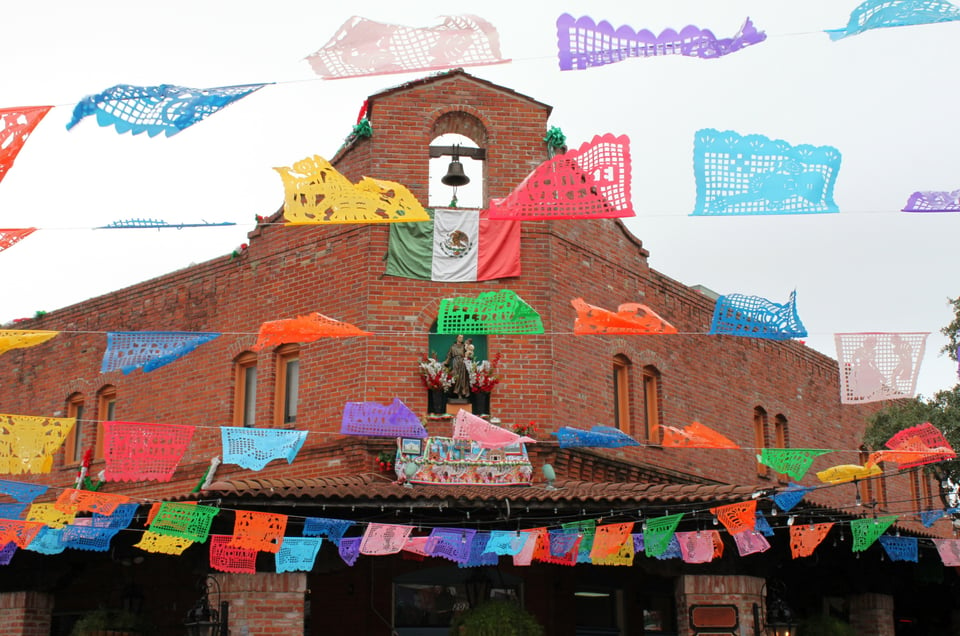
x=455 y=245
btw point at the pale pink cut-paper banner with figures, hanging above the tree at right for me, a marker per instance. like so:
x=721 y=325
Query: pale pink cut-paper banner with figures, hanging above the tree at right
x=878 y=366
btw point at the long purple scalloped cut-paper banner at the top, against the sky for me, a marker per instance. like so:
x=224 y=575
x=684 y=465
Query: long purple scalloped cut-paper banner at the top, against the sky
x=583 y=44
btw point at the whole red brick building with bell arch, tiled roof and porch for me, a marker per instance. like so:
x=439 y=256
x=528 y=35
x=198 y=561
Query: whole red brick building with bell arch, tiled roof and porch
x=760 y=393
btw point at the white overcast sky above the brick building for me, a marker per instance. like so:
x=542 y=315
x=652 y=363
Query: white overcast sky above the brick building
x=885 y=99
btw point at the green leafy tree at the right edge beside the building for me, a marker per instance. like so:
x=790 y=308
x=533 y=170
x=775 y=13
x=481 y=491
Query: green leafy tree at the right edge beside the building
x=942 y=410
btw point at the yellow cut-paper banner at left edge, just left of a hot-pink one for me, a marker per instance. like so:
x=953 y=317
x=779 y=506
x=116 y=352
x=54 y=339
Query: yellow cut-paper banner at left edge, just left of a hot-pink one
x=28 y=443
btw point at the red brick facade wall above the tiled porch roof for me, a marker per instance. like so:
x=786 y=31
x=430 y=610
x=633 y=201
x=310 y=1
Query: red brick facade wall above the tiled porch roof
x=555 y=379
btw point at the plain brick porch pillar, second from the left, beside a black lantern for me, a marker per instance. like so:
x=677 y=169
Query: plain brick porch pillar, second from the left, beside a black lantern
x=263 y=603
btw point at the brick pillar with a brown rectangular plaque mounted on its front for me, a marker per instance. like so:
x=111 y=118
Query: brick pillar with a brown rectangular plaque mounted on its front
x=708 y=589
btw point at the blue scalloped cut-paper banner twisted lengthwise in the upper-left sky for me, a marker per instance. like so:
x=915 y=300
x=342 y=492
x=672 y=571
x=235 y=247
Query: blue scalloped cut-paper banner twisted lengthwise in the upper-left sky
x=159 y=109
